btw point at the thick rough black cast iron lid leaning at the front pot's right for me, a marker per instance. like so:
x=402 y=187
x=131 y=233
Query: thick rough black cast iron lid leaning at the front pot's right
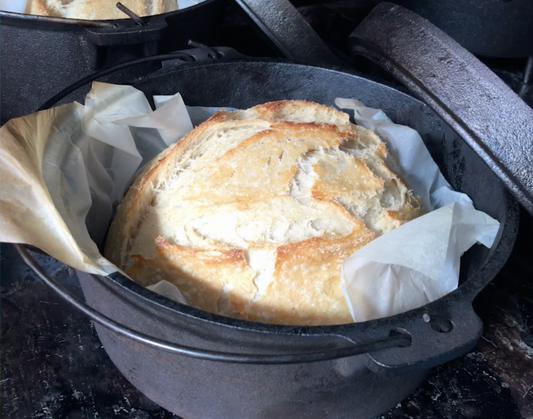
x=465 y=93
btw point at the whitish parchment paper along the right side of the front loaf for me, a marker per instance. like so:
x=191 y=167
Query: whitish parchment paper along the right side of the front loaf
x=418 y=262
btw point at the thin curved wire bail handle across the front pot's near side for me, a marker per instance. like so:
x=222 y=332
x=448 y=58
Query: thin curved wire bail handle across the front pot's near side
x=392 y=341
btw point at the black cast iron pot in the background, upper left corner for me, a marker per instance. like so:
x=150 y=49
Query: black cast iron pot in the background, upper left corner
x=40 y=54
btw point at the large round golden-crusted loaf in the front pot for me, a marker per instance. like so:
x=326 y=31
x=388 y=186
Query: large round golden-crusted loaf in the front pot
x=252 y=213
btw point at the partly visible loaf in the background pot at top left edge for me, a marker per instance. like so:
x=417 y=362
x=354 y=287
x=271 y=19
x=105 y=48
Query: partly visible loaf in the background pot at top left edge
x=97 y=9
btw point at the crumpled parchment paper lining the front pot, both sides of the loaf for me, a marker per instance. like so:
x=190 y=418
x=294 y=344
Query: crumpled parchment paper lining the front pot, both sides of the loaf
x=67 y=167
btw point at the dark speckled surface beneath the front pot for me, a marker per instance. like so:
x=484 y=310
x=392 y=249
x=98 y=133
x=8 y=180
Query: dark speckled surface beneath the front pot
x=54 y=367
